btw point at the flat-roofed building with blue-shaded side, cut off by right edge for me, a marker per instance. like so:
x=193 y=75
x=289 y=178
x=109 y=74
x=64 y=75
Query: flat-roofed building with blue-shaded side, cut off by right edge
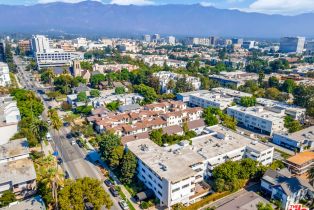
x=299 y=141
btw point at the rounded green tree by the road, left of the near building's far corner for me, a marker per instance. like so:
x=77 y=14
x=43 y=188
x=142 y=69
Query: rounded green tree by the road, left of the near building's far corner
x=108 y=142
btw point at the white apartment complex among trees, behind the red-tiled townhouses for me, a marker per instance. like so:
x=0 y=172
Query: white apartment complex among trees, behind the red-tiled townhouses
x=165 y=76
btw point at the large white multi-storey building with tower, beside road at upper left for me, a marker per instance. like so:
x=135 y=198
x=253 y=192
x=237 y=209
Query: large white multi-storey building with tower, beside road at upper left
x=46 y=56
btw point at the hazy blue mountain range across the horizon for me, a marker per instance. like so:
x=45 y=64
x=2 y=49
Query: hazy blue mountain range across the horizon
x=95 y=18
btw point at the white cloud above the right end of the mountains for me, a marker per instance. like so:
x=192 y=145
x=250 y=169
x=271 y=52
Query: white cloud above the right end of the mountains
x=288 y=7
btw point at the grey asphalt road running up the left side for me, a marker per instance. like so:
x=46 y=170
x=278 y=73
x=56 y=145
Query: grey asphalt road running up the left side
x=73 y=157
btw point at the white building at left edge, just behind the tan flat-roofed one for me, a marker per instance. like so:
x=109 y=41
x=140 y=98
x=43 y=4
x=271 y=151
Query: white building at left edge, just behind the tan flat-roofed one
x=9 y=118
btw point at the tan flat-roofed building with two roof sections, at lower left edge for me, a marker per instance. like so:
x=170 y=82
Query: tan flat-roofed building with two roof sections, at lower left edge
x=17 y=172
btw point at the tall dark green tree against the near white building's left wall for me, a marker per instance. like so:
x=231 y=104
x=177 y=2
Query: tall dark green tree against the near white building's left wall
x=128 y=167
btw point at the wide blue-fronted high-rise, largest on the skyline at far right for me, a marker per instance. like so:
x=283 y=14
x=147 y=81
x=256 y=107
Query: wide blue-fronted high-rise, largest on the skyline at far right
x=292 y=44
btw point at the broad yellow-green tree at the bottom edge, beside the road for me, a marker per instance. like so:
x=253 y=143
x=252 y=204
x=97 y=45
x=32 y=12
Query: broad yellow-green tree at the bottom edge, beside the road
x=76 y=193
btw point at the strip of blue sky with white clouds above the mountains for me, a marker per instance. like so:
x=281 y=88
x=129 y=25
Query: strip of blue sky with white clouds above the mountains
x=287 y=7
